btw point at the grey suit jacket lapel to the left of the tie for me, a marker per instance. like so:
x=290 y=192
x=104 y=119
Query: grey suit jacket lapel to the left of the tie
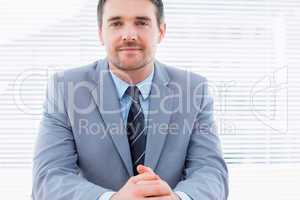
x=105 y=96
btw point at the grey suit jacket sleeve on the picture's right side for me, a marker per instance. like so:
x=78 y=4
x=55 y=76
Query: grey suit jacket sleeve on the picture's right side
x=205 y=175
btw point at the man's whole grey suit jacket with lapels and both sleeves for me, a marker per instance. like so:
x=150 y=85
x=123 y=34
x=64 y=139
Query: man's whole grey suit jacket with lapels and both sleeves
x=82 y=149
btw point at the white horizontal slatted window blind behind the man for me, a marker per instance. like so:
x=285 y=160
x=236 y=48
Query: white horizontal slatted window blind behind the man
x=249 y=51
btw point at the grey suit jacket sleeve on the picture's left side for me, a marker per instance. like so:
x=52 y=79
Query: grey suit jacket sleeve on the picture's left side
x=55 y=170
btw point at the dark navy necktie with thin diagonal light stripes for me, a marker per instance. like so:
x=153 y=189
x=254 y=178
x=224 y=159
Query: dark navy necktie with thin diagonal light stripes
x=136 y=129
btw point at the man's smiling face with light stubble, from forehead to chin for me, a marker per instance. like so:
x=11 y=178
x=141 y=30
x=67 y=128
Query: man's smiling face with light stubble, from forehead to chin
x=130 y=33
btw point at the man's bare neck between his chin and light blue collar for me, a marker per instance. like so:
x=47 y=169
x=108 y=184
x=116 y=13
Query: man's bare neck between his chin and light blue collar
x=132 y=77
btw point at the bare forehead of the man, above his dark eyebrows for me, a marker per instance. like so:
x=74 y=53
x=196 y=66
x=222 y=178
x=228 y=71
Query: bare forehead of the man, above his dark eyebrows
x=128 y=9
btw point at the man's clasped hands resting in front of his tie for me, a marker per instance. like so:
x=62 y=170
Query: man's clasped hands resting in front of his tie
x=146 y=185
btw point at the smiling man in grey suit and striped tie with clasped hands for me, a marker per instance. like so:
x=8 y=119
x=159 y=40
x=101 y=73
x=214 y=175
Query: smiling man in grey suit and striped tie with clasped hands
x=128 y=127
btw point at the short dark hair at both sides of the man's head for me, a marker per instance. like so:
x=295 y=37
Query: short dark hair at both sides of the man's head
x=158 y=4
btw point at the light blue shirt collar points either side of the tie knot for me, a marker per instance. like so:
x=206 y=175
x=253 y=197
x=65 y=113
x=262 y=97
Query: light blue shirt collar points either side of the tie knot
x=144 y=86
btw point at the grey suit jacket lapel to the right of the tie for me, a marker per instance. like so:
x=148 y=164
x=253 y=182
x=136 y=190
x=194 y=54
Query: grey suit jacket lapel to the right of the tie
x=160 y=109
